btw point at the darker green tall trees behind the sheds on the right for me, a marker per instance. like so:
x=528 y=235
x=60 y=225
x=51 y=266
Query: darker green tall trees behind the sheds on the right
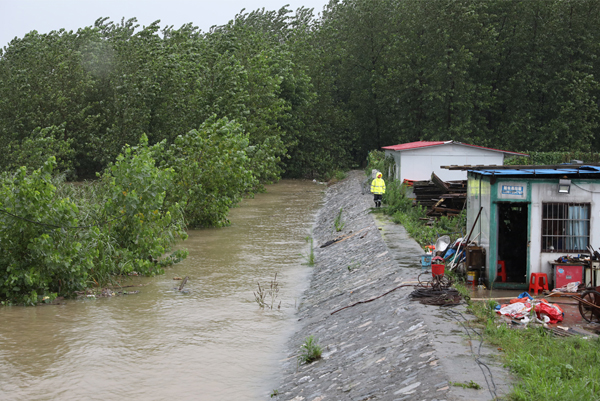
x=518 y=75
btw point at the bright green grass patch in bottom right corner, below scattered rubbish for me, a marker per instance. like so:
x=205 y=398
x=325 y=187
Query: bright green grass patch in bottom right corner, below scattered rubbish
x=549 y=368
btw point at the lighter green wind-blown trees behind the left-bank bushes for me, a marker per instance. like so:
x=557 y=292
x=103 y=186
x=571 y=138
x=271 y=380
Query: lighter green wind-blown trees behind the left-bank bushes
x=110 y=83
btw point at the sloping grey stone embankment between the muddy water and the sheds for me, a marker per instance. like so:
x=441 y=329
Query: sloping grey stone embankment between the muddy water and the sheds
x=385 y=349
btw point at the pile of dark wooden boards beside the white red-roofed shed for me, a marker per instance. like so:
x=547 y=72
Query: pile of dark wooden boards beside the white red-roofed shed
x=441 y=198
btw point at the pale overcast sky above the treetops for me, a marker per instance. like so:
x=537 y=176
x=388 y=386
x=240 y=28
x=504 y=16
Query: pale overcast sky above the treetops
x=17 y=17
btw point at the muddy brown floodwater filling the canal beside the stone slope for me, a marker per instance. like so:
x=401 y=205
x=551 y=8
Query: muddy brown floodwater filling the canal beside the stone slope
x=213 y=343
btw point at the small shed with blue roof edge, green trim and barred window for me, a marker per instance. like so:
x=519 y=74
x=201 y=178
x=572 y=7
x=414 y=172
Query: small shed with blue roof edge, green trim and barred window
x=532 y=215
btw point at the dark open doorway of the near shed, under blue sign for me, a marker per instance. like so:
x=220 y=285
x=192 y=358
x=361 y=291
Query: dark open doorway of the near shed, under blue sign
x=512 y=240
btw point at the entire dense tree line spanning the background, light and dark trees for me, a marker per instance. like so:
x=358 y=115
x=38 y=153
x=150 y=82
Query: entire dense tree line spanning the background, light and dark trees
x=314 y=93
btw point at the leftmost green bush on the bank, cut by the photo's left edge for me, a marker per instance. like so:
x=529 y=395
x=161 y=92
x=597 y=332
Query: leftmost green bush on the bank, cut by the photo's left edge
x=38 y=257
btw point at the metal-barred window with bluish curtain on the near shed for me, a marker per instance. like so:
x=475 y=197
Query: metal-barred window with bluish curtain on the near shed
x=565 y=227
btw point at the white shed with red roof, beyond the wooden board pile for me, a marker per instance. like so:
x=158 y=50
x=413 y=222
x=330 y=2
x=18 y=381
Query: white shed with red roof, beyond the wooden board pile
x=417 y=160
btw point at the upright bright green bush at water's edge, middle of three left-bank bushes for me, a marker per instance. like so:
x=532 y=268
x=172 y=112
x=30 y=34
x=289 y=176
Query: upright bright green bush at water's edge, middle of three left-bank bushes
x=137 y=190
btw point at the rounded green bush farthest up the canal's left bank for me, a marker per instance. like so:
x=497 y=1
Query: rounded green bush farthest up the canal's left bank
x=212 y=170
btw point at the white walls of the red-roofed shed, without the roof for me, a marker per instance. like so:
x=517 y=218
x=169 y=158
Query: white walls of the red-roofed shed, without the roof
x=418 y=164
